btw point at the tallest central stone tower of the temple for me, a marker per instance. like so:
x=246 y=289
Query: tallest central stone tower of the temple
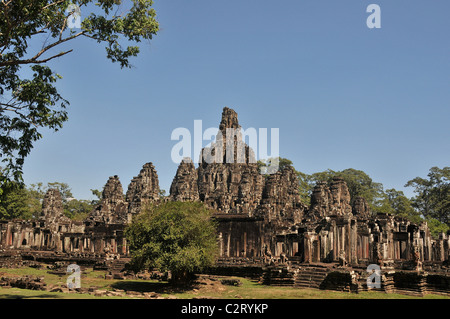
x=228 y=176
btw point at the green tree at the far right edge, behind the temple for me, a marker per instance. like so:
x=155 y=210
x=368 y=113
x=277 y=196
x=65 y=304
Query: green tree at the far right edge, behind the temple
x=433 y=194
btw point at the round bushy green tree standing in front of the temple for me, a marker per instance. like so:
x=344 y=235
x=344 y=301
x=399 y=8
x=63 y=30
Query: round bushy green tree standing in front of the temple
x=179 y=237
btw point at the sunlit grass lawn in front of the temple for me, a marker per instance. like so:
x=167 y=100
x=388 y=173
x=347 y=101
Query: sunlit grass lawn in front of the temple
x=212 y=289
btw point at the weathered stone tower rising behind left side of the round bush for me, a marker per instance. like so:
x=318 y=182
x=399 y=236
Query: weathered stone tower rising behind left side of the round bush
x=143 y=189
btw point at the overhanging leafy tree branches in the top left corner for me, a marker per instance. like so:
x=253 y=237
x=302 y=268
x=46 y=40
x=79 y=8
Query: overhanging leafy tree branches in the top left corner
x=31 y=32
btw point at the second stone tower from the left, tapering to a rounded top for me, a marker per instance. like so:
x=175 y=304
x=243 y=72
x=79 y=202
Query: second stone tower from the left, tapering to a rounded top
x=112 y=208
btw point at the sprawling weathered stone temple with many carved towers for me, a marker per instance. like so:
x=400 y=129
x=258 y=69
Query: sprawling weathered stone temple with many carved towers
x=264 y=229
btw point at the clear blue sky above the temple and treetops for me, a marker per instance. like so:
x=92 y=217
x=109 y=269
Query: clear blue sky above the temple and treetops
x=342 y=95
